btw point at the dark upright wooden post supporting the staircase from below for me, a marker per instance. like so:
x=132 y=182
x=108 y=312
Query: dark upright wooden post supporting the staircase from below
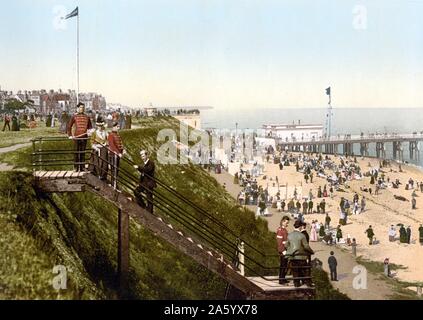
x=123 y=252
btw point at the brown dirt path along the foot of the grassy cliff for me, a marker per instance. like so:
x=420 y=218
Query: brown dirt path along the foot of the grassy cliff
x=377 y=289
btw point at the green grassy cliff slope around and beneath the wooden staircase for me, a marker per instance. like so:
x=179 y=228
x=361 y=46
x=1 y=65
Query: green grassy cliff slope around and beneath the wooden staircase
x=79 y=231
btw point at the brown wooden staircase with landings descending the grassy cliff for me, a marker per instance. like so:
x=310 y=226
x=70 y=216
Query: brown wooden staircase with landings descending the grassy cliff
x=251 y=287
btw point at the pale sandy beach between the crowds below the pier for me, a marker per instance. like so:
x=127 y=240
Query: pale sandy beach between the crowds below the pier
x=381 y=212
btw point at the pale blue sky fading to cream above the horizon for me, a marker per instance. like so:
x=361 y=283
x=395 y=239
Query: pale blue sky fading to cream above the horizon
x=223 y=53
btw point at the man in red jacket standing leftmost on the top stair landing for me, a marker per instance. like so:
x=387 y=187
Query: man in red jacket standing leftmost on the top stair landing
x=82 y=124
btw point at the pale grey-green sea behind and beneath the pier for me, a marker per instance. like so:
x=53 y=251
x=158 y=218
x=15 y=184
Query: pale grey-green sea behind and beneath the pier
x=344 y=121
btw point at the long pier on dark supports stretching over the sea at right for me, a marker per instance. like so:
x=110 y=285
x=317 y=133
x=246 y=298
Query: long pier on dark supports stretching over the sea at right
x=345 y=145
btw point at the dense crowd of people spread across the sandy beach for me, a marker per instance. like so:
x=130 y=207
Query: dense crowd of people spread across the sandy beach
x=337 y=175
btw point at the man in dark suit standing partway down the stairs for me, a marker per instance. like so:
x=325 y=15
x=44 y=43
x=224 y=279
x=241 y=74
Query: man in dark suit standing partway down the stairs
x=147 y=183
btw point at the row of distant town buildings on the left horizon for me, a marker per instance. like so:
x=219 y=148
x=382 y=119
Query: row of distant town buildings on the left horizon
x=43 y=101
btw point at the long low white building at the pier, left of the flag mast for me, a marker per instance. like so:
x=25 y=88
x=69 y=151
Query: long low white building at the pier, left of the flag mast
x=294 y=132
